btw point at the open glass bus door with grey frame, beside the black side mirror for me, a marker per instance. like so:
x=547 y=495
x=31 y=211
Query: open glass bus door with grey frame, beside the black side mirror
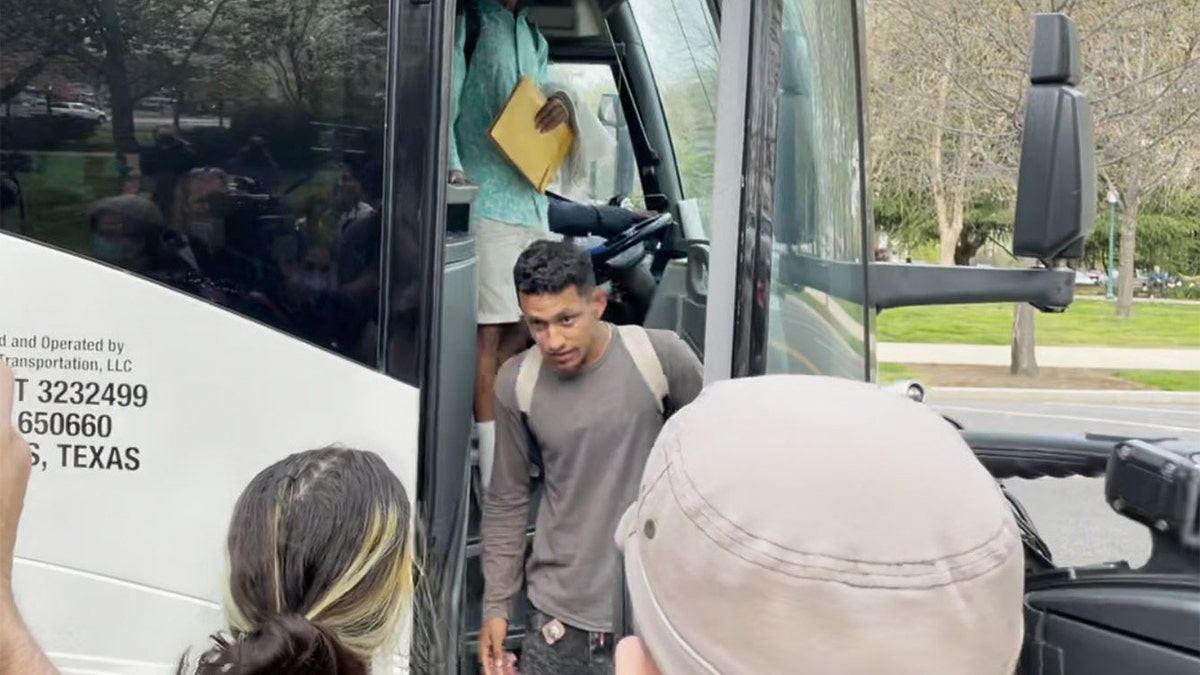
x=790 y=174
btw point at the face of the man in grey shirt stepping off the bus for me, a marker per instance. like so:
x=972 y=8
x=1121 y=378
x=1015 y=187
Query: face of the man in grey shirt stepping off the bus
x=565 y=325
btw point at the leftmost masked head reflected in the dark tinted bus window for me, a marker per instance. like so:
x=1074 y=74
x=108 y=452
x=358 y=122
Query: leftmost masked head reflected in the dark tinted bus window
x=127 y=230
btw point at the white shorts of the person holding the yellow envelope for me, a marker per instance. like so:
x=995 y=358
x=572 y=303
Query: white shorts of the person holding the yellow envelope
x=500 y=246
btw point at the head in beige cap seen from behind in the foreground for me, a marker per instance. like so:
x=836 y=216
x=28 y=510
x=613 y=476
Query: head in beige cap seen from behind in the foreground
x=800 y=524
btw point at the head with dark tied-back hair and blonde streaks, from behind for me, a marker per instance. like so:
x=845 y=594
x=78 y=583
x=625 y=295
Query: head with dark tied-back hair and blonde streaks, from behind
x=321 y=568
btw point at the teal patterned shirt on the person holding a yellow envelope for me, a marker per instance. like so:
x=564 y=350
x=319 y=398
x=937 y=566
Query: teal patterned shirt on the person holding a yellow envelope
x=508 y=49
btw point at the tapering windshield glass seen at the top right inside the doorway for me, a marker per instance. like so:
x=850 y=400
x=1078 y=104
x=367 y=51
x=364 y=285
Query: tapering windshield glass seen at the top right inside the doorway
x=682 y=46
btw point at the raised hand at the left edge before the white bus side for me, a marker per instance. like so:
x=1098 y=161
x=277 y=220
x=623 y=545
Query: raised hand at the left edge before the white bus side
x=15 y=469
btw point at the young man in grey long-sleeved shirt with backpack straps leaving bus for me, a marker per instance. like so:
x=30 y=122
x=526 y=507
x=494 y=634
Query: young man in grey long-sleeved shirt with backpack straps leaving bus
x=592 y=420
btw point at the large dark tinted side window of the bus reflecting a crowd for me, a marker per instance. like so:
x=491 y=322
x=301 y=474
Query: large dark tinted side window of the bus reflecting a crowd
x=254 y=186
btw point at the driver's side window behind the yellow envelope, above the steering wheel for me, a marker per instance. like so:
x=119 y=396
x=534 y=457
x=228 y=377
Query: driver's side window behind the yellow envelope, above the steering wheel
x=614 y=172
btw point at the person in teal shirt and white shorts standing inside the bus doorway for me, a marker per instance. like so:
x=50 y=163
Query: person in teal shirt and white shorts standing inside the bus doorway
x=509 y=212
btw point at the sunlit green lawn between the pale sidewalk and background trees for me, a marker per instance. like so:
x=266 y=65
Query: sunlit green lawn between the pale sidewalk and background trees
x=1084 y=324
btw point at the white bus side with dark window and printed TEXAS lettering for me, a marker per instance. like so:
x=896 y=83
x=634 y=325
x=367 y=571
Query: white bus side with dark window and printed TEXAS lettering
x=197 y=292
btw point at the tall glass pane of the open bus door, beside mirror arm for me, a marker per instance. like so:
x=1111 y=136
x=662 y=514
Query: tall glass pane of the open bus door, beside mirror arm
x=813 y=327
